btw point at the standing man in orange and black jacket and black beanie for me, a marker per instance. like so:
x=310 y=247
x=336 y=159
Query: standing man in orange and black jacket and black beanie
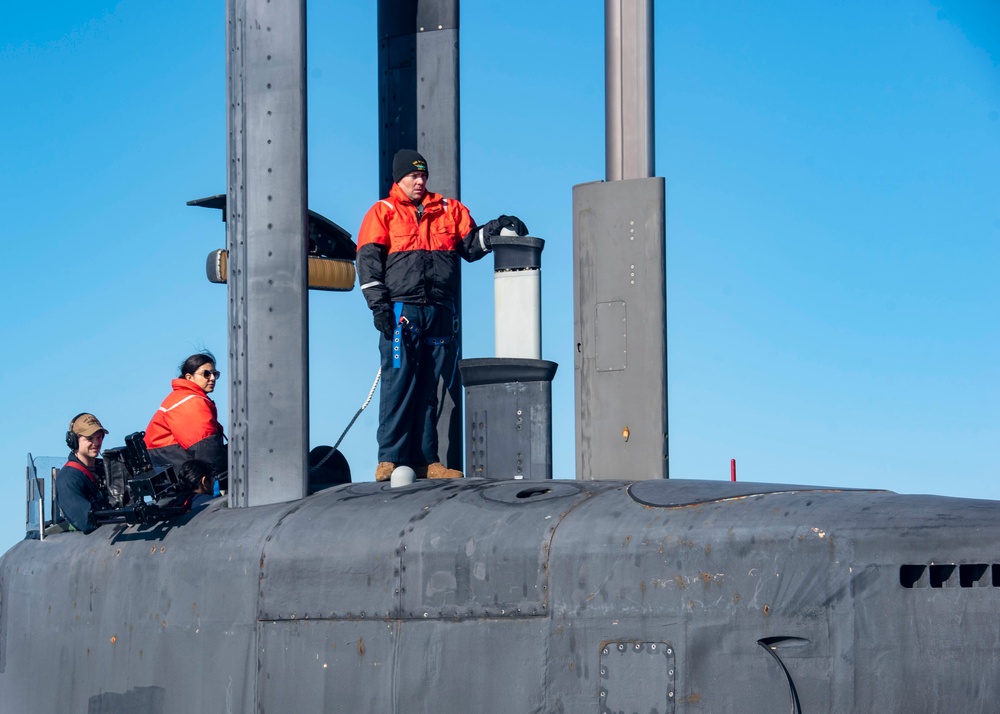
x=409 y=246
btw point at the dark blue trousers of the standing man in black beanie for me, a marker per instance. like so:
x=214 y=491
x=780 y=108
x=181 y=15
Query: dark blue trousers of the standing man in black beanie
x=422 y=353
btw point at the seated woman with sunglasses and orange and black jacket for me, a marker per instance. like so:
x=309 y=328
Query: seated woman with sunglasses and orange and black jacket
x=186 y=426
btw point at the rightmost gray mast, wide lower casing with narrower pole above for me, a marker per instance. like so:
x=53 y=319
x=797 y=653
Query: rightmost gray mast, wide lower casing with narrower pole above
x=619 y=272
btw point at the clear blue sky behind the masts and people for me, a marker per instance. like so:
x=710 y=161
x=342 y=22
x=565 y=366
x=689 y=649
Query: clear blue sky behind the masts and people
x=833 y=222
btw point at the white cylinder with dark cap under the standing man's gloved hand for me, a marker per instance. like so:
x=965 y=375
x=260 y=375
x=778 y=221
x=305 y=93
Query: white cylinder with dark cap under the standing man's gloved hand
x=517 y=296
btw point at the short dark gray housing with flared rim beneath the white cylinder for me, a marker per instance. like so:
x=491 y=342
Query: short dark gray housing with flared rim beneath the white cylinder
x=508 y=407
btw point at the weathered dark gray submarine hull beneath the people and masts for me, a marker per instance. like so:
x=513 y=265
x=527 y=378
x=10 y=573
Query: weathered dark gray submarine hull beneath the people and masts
x=511 y=596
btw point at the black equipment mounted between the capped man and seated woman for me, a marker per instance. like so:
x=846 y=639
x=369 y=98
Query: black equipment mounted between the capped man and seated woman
x=136 y=487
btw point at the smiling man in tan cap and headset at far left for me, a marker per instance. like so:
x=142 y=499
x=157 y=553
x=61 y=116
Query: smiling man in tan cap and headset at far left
x=79 y=485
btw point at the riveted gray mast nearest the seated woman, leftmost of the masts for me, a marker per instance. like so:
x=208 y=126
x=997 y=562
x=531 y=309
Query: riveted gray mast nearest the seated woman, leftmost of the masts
x=266 y=238
